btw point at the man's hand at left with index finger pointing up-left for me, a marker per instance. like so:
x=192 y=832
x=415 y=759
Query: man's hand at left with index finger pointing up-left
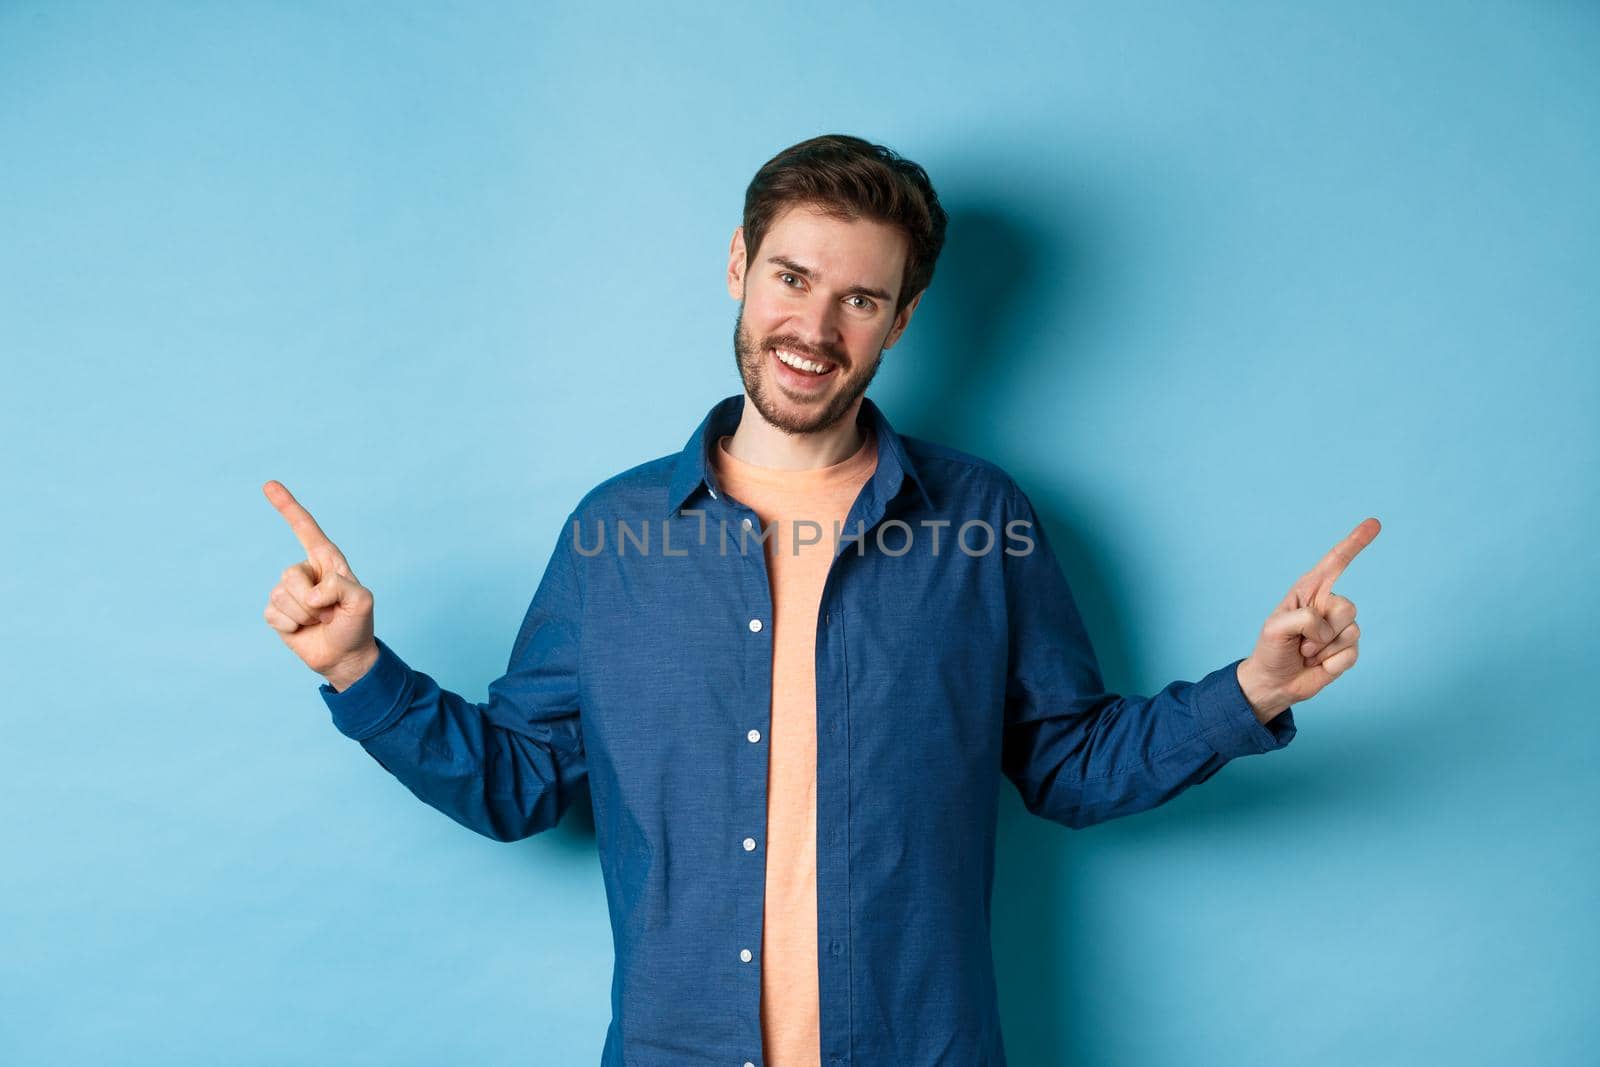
x=319 y=609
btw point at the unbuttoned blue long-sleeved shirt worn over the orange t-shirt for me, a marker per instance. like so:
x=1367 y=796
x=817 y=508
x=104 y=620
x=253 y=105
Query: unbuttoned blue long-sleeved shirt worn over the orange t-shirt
x=644 y=669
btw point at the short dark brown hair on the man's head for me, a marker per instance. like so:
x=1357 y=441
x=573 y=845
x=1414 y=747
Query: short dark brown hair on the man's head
x=850 y=178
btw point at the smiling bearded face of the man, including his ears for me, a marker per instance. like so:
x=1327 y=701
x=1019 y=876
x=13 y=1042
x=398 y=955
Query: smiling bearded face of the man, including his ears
x=822 y=290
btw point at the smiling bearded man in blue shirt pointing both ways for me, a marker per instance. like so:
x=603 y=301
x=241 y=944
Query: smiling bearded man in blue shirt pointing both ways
x=793 y=661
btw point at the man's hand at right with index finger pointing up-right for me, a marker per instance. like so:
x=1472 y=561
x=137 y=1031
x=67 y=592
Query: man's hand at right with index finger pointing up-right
x=1310 y=639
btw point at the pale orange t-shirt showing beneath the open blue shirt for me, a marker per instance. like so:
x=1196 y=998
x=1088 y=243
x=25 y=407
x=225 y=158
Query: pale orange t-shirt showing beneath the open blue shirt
x=791 y=1021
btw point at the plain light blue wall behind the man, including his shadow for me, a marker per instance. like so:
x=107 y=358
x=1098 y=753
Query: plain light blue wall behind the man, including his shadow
x=1222 y=282
